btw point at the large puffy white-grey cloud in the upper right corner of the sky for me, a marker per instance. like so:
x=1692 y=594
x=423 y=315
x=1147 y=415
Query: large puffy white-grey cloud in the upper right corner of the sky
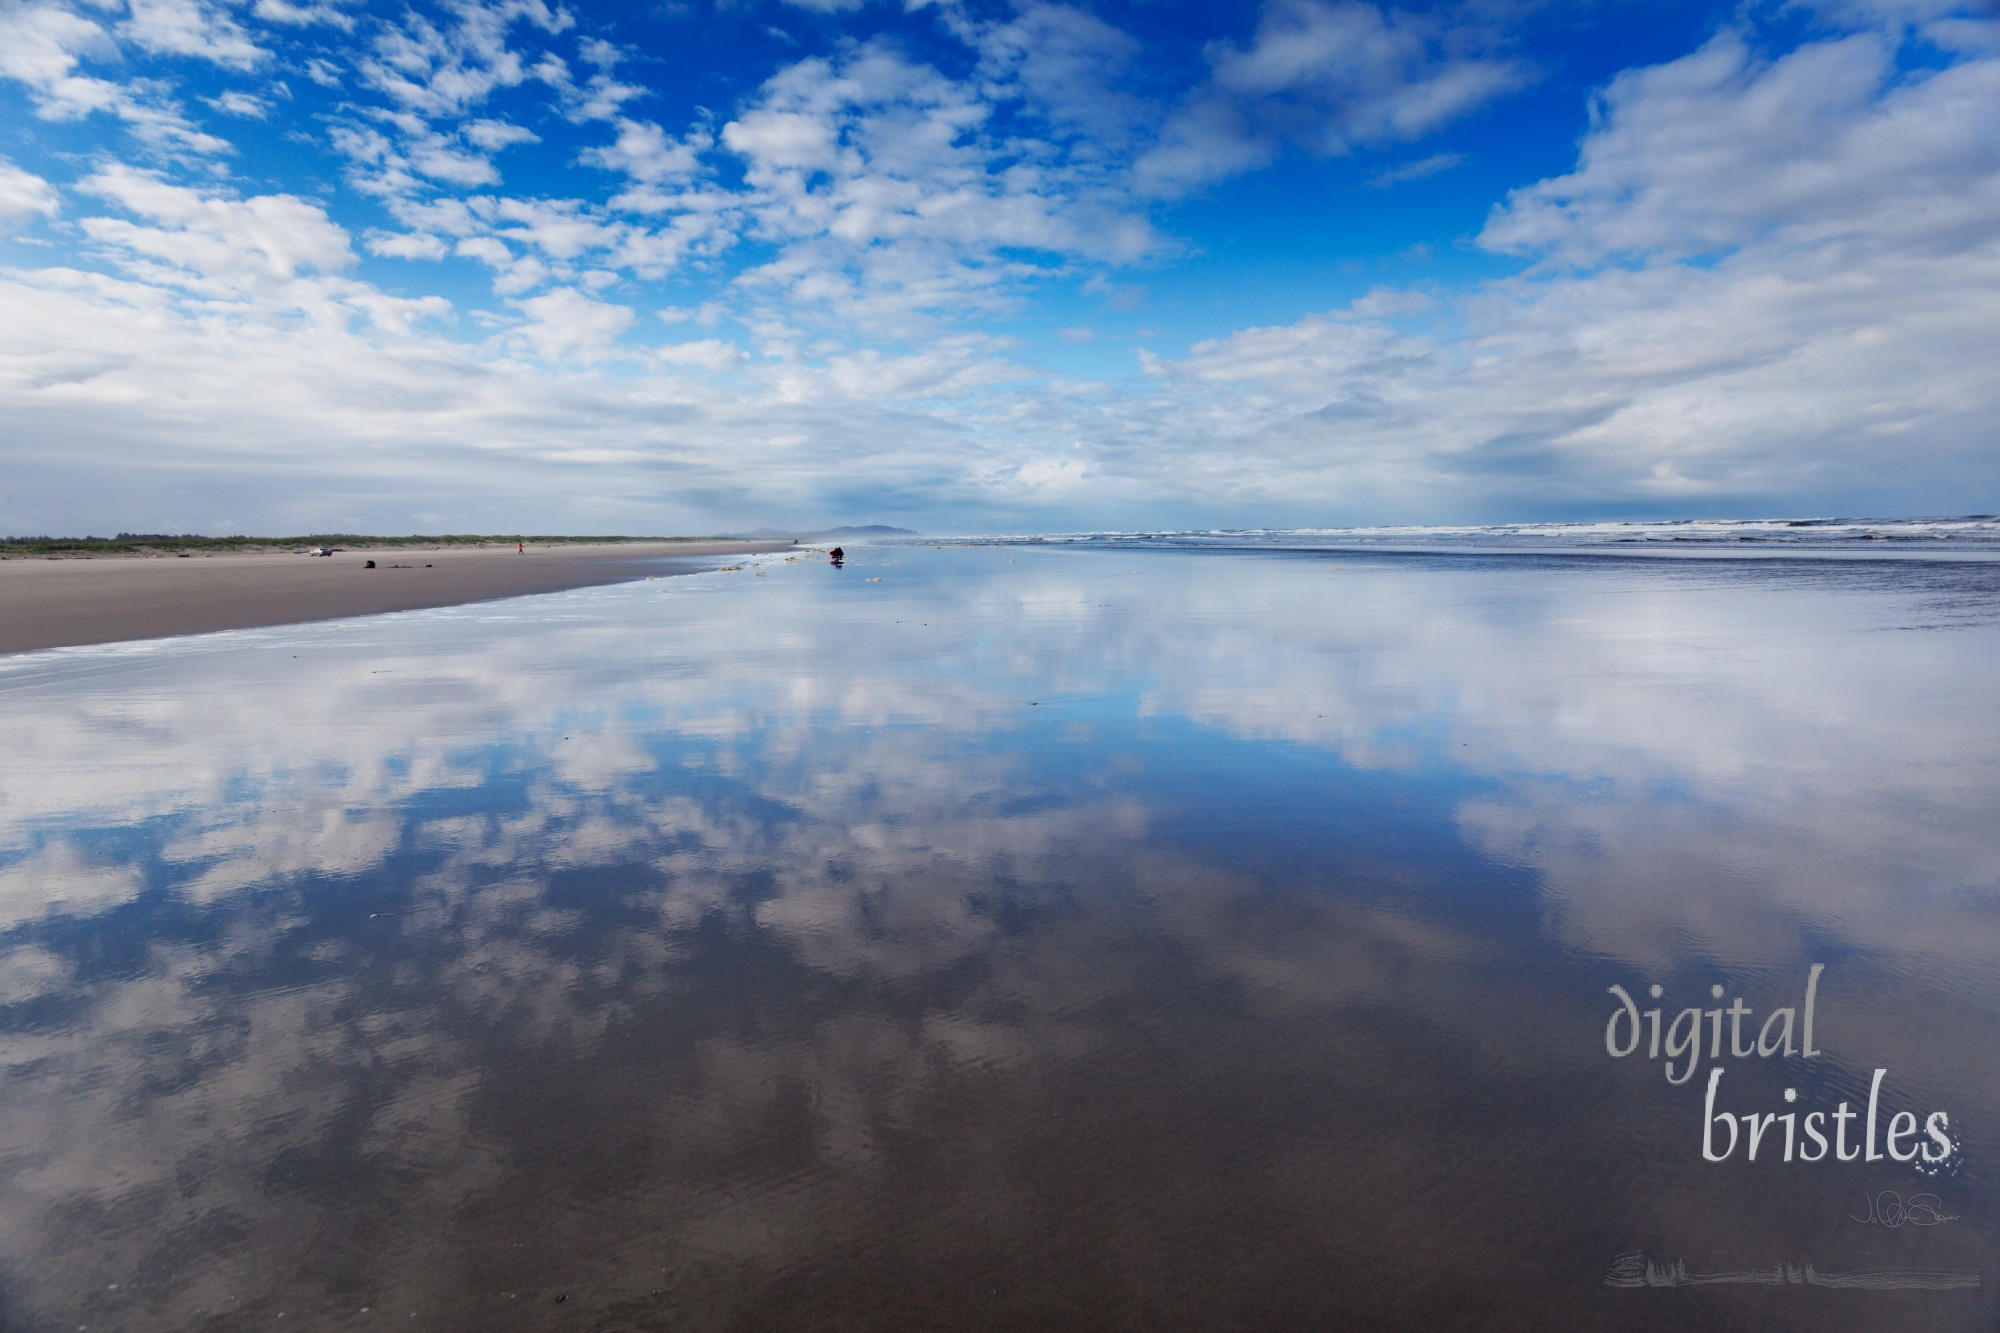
x=1839 y=153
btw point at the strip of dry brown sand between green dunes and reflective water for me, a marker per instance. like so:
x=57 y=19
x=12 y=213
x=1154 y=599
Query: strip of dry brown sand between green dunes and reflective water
x=53 y=603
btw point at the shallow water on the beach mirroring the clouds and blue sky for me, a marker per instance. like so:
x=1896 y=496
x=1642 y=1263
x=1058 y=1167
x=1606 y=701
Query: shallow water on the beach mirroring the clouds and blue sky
x=1013 y=938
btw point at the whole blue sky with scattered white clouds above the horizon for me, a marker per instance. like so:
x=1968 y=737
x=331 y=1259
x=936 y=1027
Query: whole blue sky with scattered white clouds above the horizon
x=495 y=265
